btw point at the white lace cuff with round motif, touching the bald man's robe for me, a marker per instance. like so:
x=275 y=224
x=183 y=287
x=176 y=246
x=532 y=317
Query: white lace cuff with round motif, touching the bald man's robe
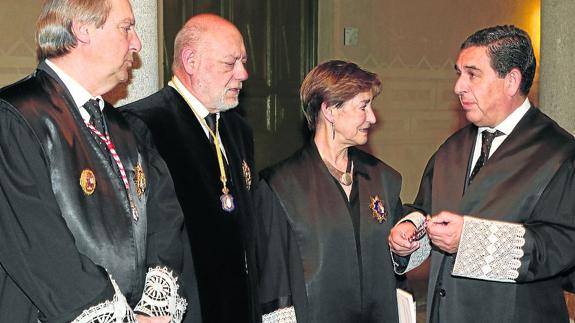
x=160 y=297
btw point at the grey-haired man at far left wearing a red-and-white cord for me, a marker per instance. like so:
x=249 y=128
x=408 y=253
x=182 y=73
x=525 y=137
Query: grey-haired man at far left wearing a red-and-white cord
x=90 y=228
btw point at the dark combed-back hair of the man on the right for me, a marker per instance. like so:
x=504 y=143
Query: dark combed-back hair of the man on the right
x=509 y=47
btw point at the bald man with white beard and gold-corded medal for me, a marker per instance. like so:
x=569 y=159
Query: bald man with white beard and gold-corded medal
x=209 y=151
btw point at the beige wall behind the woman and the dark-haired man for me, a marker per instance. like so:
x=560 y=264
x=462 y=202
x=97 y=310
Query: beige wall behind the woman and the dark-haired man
x=413 y=45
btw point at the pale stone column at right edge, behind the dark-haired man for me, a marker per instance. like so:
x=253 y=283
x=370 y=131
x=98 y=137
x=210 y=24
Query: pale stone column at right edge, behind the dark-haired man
x=557 y=79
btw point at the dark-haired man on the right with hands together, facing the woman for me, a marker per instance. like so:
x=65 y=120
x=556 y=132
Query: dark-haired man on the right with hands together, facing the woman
x=500 y=192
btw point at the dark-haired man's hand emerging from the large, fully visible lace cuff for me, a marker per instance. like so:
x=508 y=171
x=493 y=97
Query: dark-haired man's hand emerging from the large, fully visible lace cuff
x=444 y=230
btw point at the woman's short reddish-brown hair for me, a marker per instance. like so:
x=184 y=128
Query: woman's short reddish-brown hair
x=334 y=82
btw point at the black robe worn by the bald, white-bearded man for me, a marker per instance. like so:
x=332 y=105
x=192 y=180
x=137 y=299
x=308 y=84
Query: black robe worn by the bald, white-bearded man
x=221 y=242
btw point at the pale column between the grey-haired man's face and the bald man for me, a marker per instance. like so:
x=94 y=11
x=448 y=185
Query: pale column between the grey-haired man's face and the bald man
x=145 y=78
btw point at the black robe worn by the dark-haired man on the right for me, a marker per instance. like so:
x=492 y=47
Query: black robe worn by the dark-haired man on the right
x=529 y=179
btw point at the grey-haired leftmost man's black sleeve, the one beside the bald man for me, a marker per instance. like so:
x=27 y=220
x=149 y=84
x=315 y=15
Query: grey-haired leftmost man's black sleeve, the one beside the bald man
x=167 y=241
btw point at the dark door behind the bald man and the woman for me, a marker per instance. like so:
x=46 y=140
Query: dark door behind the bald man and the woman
x=281 y=41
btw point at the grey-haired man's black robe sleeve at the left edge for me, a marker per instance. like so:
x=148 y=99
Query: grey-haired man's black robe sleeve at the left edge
x=37 y=251
